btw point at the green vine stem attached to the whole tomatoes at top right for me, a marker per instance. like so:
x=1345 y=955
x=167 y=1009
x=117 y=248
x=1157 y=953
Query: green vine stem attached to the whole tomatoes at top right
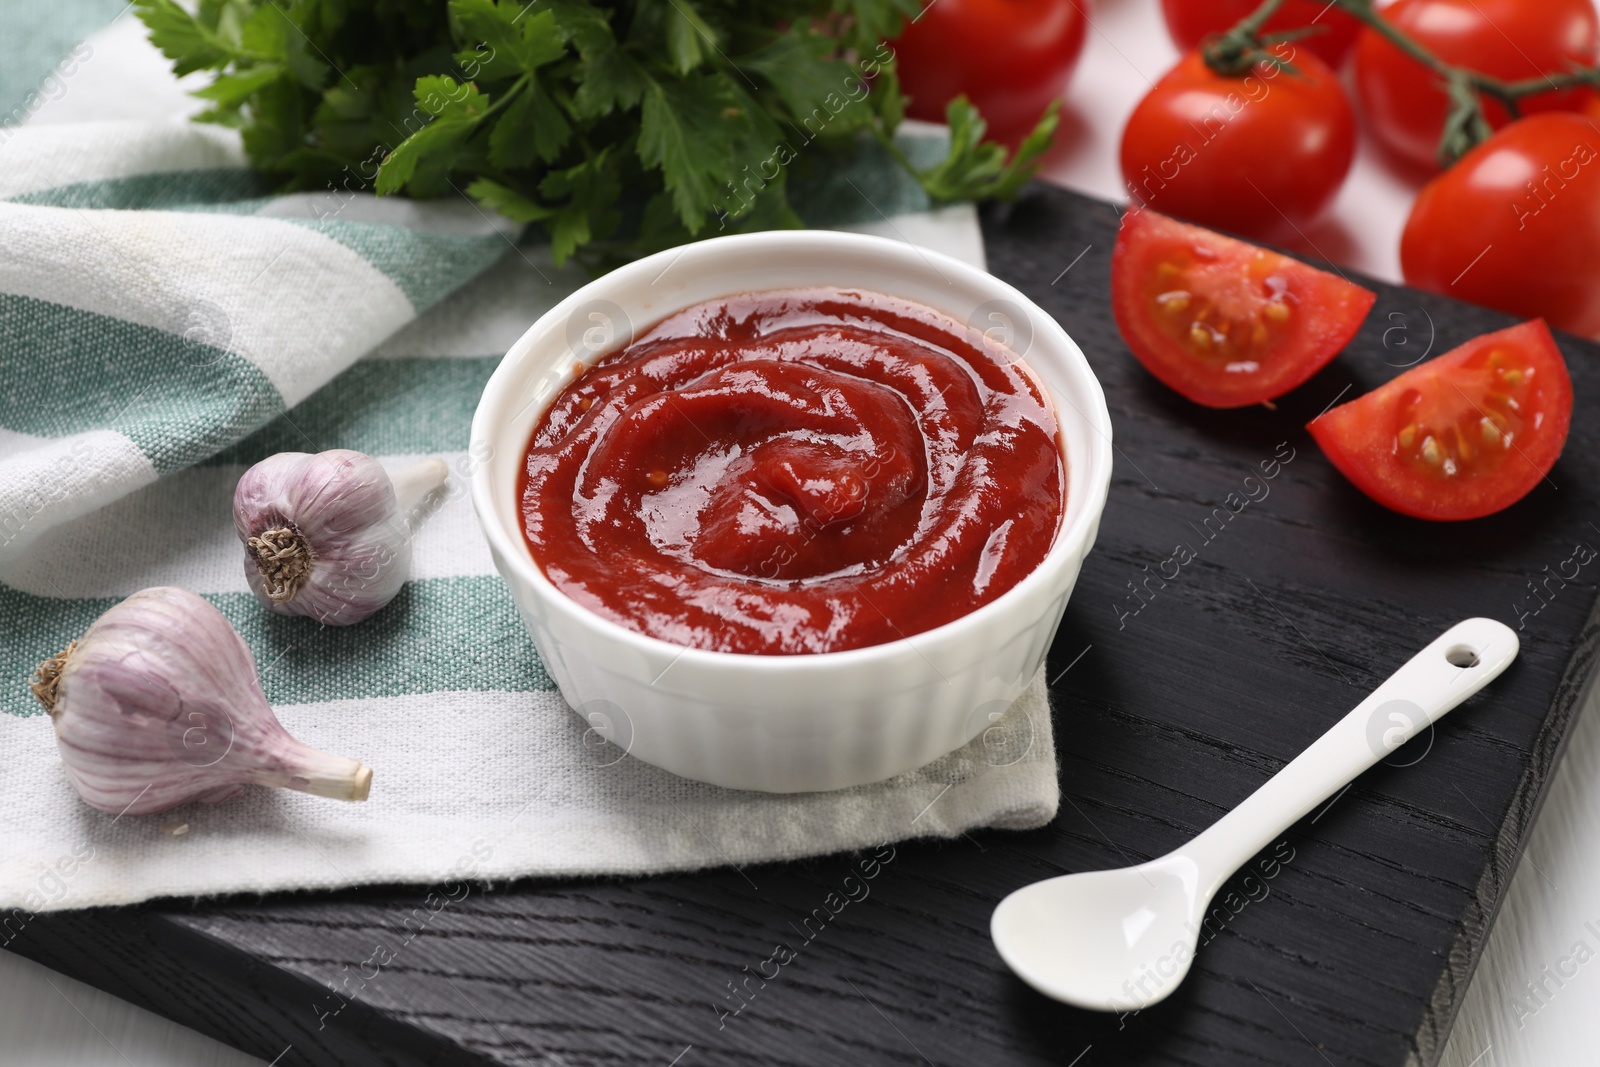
x=1466 y=126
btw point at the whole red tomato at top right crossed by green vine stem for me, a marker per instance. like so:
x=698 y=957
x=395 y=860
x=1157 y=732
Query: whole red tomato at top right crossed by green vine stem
x=1510 y=39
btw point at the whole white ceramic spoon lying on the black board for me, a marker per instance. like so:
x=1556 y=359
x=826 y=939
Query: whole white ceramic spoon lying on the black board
x=1124 y=940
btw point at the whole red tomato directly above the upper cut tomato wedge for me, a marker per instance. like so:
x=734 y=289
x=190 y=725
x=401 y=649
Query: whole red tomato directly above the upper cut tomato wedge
x=1262 y=154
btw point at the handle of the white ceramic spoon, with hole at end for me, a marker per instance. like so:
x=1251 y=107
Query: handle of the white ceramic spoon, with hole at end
x=1455 y=666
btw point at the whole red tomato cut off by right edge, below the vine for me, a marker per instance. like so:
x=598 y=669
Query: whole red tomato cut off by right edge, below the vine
x=1481 y=234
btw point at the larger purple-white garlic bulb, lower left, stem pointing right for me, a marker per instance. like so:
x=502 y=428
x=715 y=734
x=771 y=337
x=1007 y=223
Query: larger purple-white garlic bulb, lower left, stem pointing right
x=159 y=705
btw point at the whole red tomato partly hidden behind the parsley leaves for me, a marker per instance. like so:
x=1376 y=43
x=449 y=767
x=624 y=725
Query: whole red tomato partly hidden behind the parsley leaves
x=1012 y=58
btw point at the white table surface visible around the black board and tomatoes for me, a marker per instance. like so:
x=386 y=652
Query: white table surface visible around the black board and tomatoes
x=1542 y=937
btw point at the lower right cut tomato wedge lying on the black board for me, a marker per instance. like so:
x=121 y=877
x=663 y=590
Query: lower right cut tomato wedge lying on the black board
x=1462 y=436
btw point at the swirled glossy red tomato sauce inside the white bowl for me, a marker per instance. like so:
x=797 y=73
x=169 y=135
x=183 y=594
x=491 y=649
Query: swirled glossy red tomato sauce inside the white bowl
x=796 y=471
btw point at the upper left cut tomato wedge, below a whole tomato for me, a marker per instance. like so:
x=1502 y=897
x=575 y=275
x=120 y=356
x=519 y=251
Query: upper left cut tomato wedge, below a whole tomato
x=1225 y=322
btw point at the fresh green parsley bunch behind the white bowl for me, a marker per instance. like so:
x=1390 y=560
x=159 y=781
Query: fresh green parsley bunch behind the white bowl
x=618 y=129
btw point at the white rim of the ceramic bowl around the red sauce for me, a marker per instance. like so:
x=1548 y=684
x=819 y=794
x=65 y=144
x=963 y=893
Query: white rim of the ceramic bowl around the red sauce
x=1094 y=476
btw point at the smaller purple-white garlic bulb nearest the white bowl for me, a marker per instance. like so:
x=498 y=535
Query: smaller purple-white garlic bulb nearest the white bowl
x=329 y=535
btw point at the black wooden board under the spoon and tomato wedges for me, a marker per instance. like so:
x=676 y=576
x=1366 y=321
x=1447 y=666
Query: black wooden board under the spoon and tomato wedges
x=1351 y=943
